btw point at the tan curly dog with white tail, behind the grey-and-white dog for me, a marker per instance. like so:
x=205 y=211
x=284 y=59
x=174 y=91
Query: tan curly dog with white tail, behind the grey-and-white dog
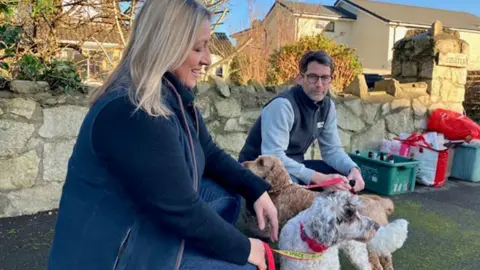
x=290 y=199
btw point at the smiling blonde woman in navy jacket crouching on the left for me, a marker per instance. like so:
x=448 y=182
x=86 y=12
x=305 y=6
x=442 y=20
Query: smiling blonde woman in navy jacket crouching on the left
x=147 y=188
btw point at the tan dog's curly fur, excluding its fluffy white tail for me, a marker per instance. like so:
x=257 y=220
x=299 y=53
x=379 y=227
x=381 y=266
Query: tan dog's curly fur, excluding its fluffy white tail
x=290 y=199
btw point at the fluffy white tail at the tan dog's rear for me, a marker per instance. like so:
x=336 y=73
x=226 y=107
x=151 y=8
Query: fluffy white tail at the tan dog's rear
x=389 y=238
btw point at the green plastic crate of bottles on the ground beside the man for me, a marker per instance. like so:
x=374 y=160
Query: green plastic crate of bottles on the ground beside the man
x=386 y=178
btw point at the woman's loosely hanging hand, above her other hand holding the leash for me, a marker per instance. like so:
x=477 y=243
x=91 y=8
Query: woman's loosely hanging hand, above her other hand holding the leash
x=264 y=206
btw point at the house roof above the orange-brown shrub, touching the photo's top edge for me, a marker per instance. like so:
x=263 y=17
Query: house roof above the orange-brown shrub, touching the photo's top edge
x=316 y=9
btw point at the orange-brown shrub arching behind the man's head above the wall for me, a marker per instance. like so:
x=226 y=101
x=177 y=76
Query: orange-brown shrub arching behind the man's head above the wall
x=284 y=62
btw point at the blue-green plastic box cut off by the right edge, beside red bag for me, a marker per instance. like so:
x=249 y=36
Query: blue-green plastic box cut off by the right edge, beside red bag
x=466 y=163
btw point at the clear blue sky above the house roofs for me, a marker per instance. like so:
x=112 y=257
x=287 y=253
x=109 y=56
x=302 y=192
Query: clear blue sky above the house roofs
x=238 y=18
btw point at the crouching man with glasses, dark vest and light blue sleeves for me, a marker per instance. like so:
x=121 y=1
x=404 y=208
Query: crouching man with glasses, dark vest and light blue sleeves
x=292 y=120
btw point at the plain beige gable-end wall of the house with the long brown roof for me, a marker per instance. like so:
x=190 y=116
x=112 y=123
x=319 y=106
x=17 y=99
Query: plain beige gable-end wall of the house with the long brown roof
x=370 y=37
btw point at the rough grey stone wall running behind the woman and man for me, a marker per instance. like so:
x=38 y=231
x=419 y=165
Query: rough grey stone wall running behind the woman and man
x=38 y=131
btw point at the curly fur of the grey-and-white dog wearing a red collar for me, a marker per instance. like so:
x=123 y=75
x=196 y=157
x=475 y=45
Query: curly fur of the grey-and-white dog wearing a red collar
x=332 y=220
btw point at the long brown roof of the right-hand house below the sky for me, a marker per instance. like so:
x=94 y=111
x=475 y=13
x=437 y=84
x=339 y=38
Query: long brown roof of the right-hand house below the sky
x=389 y=12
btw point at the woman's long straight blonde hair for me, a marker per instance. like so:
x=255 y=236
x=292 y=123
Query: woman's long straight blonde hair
x=163 y=34
